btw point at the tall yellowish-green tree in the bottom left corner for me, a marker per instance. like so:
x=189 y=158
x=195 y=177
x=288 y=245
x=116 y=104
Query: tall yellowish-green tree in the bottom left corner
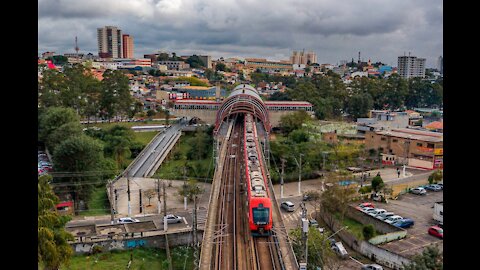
x=53 y=247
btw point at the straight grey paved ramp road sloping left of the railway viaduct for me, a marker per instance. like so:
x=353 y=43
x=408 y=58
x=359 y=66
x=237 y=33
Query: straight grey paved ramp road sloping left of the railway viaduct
x=156 y=148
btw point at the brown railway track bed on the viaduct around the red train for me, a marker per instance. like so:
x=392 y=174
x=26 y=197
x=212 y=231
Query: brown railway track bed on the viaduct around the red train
x=235 y=248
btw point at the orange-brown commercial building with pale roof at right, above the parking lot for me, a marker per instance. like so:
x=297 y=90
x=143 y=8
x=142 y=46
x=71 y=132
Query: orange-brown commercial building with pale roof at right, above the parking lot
x=415 y=148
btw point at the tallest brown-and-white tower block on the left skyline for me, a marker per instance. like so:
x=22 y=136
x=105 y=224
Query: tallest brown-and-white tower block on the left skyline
x=109 y=42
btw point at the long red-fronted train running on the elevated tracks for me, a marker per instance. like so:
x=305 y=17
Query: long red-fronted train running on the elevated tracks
x=259 y=203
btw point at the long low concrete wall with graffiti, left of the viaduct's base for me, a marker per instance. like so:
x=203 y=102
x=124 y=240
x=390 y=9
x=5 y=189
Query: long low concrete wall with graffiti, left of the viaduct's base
x=158 y=241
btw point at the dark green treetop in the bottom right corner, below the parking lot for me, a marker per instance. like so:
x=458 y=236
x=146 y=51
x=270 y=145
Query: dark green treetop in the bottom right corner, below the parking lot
x=430 y=259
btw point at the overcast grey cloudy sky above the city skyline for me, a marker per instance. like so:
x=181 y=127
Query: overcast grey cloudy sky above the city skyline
x=335 y=29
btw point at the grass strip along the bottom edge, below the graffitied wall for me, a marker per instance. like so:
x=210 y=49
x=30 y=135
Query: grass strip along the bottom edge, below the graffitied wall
x=143 y=258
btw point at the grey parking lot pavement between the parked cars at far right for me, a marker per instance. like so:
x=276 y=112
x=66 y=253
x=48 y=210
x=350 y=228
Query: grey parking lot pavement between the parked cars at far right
x=420 y=209
